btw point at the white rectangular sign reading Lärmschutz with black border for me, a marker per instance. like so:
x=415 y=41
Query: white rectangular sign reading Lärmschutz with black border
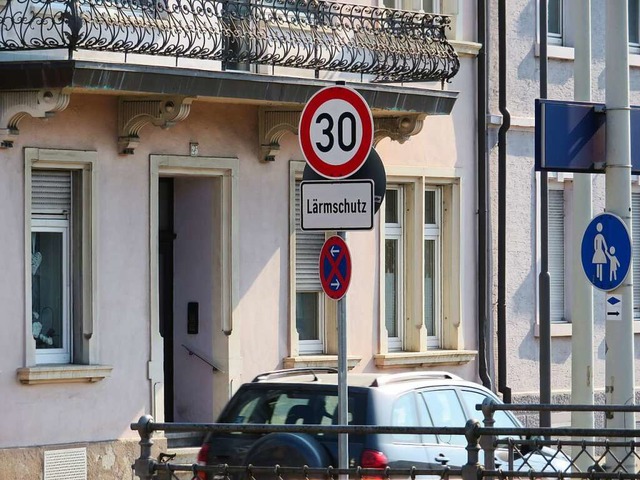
x=336 y=205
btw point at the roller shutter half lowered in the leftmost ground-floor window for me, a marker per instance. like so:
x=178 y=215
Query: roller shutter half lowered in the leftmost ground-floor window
x=50 y=192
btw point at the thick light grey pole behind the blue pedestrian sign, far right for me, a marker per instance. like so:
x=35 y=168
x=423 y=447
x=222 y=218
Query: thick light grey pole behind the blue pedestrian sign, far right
x=619 y=366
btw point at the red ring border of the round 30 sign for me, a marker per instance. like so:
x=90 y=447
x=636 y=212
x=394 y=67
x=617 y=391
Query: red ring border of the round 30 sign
x=356 y=100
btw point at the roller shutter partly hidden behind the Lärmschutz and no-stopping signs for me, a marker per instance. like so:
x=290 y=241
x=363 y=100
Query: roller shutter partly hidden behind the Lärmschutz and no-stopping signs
x=308 y=246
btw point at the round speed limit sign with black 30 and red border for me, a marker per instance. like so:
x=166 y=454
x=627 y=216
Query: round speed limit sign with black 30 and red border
x=336 y=132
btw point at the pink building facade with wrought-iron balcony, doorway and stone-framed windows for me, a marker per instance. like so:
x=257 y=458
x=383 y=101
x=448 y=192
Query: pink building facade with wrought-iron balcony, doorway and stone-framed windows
x=153 y=258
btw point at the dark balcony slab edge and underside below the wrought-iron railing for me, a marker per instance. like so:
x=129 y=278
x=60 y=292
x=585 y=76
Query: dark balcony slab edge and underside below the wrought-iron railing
x=227 y=86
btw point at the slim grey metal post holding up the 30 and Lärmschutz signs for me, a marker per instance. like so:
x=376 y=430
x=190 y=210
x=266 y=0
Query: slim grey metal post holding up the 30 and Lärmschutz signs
x=343 y=398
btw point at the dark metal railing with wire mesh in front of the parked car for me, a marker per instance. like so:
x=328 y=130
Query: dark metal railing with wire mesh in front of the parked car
x=491 y=451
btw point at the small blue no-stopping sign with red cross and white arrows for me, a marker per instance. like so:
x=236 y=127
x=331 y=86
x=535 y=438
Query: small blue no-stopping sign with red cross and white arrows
x=335 y=267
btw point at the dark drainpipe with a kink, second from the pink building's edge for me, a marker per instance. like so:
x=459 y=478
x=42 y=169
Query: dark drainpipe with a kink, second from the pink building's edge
x=502 y=202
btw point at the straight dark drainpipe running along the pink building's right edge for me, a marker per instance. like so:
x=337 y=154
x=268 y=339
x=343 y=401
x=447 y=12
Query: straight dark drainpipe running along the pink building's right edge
x=484 y=325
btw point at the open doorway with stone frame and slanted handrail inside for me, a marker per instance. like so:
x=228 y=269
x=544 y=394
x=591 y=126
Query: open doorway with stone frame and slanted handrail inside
x=193 y=239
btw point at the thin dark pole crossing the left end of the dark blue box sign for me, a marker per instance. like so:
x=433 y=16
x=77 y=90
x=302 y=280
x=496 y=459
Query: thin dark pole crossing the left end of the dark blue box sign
x=544 y=278
